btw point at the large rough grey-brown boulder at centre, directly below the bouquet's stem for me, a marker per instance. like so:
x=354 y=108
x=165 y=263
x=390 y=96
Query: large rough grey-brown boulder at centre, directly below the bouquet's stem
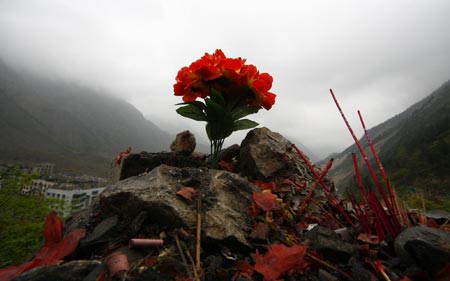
x=226 y=197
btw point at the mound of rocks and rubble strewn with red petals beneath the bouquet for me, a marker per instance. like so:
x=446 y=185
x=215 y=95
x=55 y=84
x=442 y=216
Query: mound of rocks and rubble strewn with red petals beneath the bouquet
x=265 y=216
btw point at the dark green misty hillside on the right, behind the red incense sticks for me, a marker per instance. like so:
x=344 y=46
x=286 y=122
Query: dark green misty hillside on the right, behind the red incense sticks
x=414 y=147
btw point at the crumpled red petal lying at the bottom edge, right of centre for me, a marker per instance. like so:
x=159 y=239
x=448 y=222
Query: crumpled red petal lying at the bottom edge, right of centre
x=279 y=260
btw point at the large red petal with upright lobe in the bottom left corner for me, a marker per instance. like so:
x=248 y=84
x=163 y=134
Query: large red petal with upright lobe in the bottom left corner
x=53 y=250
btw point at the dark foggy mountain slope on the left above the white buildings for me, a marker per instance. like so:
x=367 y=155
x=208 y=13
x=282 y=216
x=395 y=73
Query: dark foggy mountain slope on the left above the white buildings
x=75 y=127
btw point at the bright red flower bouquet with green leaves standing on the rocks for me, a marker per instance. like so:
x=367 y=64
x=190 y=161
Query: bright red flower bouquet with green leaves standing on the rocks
x=231 y=90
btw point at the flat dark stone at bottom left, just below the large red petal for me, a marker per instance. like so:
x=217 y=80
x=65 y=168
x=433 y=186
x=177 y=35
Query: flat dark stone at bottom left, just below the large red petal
x=70 y=271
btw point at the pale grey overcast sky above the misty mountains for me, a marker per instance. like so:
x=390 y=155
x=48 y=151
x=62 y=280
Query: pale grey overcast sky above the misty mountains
x=378 y=56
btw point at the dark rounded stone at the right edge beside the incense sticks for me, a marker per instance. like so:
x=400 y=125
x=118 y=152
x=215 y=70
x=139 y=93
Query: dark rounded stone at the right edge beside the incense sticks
x=426 y=246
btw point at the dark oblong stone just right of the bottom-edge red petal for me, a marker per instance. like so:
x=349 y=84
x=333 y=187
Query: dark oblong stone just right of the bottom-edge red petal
x=329 y=244
